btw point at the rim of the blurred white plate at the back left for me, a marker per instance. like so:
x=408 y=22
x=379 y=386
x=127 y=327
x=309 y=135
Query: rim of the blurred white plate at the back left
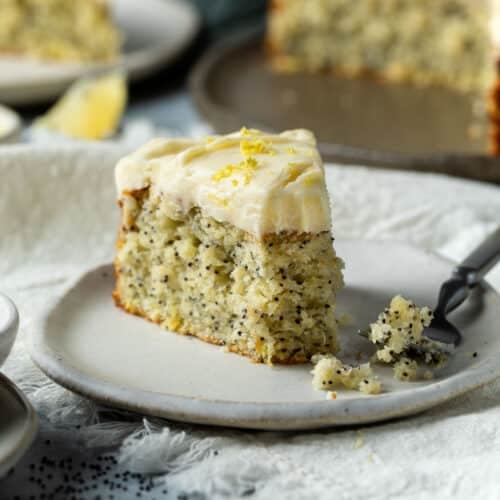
x=134 y=63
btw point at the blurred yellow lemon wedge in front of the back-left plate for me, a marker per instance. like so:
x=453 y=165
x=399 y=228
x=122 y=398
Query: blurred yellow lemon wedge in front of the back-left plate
x=90 y=109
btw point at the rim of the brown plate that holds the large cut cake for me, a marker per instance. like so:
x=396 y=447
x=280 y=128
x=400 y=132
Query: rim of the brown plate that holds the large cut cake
x=481 y=167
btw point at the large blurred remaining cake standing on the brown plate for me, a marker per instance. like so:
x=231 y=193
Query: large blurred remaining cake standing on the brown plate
x=451 y=43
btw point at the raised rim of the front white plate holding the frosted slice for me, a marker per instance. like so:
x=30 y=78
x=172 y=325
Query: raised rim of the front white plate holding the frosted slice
x=257 y=415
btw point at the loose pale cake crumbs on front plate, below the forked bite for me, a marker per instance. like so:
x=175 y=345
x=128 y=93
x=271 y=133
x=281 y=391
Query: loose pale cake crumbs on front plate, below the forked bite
x=329 y=372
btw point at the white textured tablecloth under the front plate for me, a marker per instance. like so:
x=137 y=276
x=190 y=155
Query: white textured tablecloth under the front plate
x=58 y=217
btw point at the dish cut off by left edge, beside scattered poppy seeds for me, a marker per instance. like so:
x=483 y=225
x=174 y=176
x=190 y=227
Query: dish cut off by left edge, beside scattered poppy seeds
x=18 y=425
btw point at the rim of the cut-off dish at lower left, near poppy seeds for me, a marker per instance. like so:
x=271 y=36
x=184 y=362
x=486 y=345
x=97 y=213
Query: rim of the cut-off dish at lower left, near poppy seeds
x=30 y=427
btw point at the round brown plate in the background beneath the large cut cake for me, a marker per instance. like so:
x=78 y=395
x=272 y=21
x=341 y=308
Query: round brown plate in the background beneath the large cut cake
x=356 y=121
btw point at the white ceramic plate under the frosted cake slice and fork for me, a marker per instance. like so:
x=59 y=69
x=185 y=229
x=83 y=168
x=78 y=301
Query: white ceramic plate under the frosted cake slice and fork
x=88 y=345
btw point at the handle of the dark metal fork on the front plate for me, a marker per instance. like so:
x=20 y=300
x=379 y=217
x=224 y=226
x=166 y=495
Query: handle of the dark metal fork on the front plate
x=468 y=274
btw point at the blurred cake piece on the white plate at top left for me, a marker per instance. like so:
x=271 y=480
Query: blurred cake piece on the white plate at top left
x=58 y=30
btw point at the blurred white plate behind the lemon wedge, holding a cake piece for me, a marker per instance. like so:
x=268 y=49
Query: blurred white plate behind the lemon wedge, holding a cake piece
x=155 y=31
